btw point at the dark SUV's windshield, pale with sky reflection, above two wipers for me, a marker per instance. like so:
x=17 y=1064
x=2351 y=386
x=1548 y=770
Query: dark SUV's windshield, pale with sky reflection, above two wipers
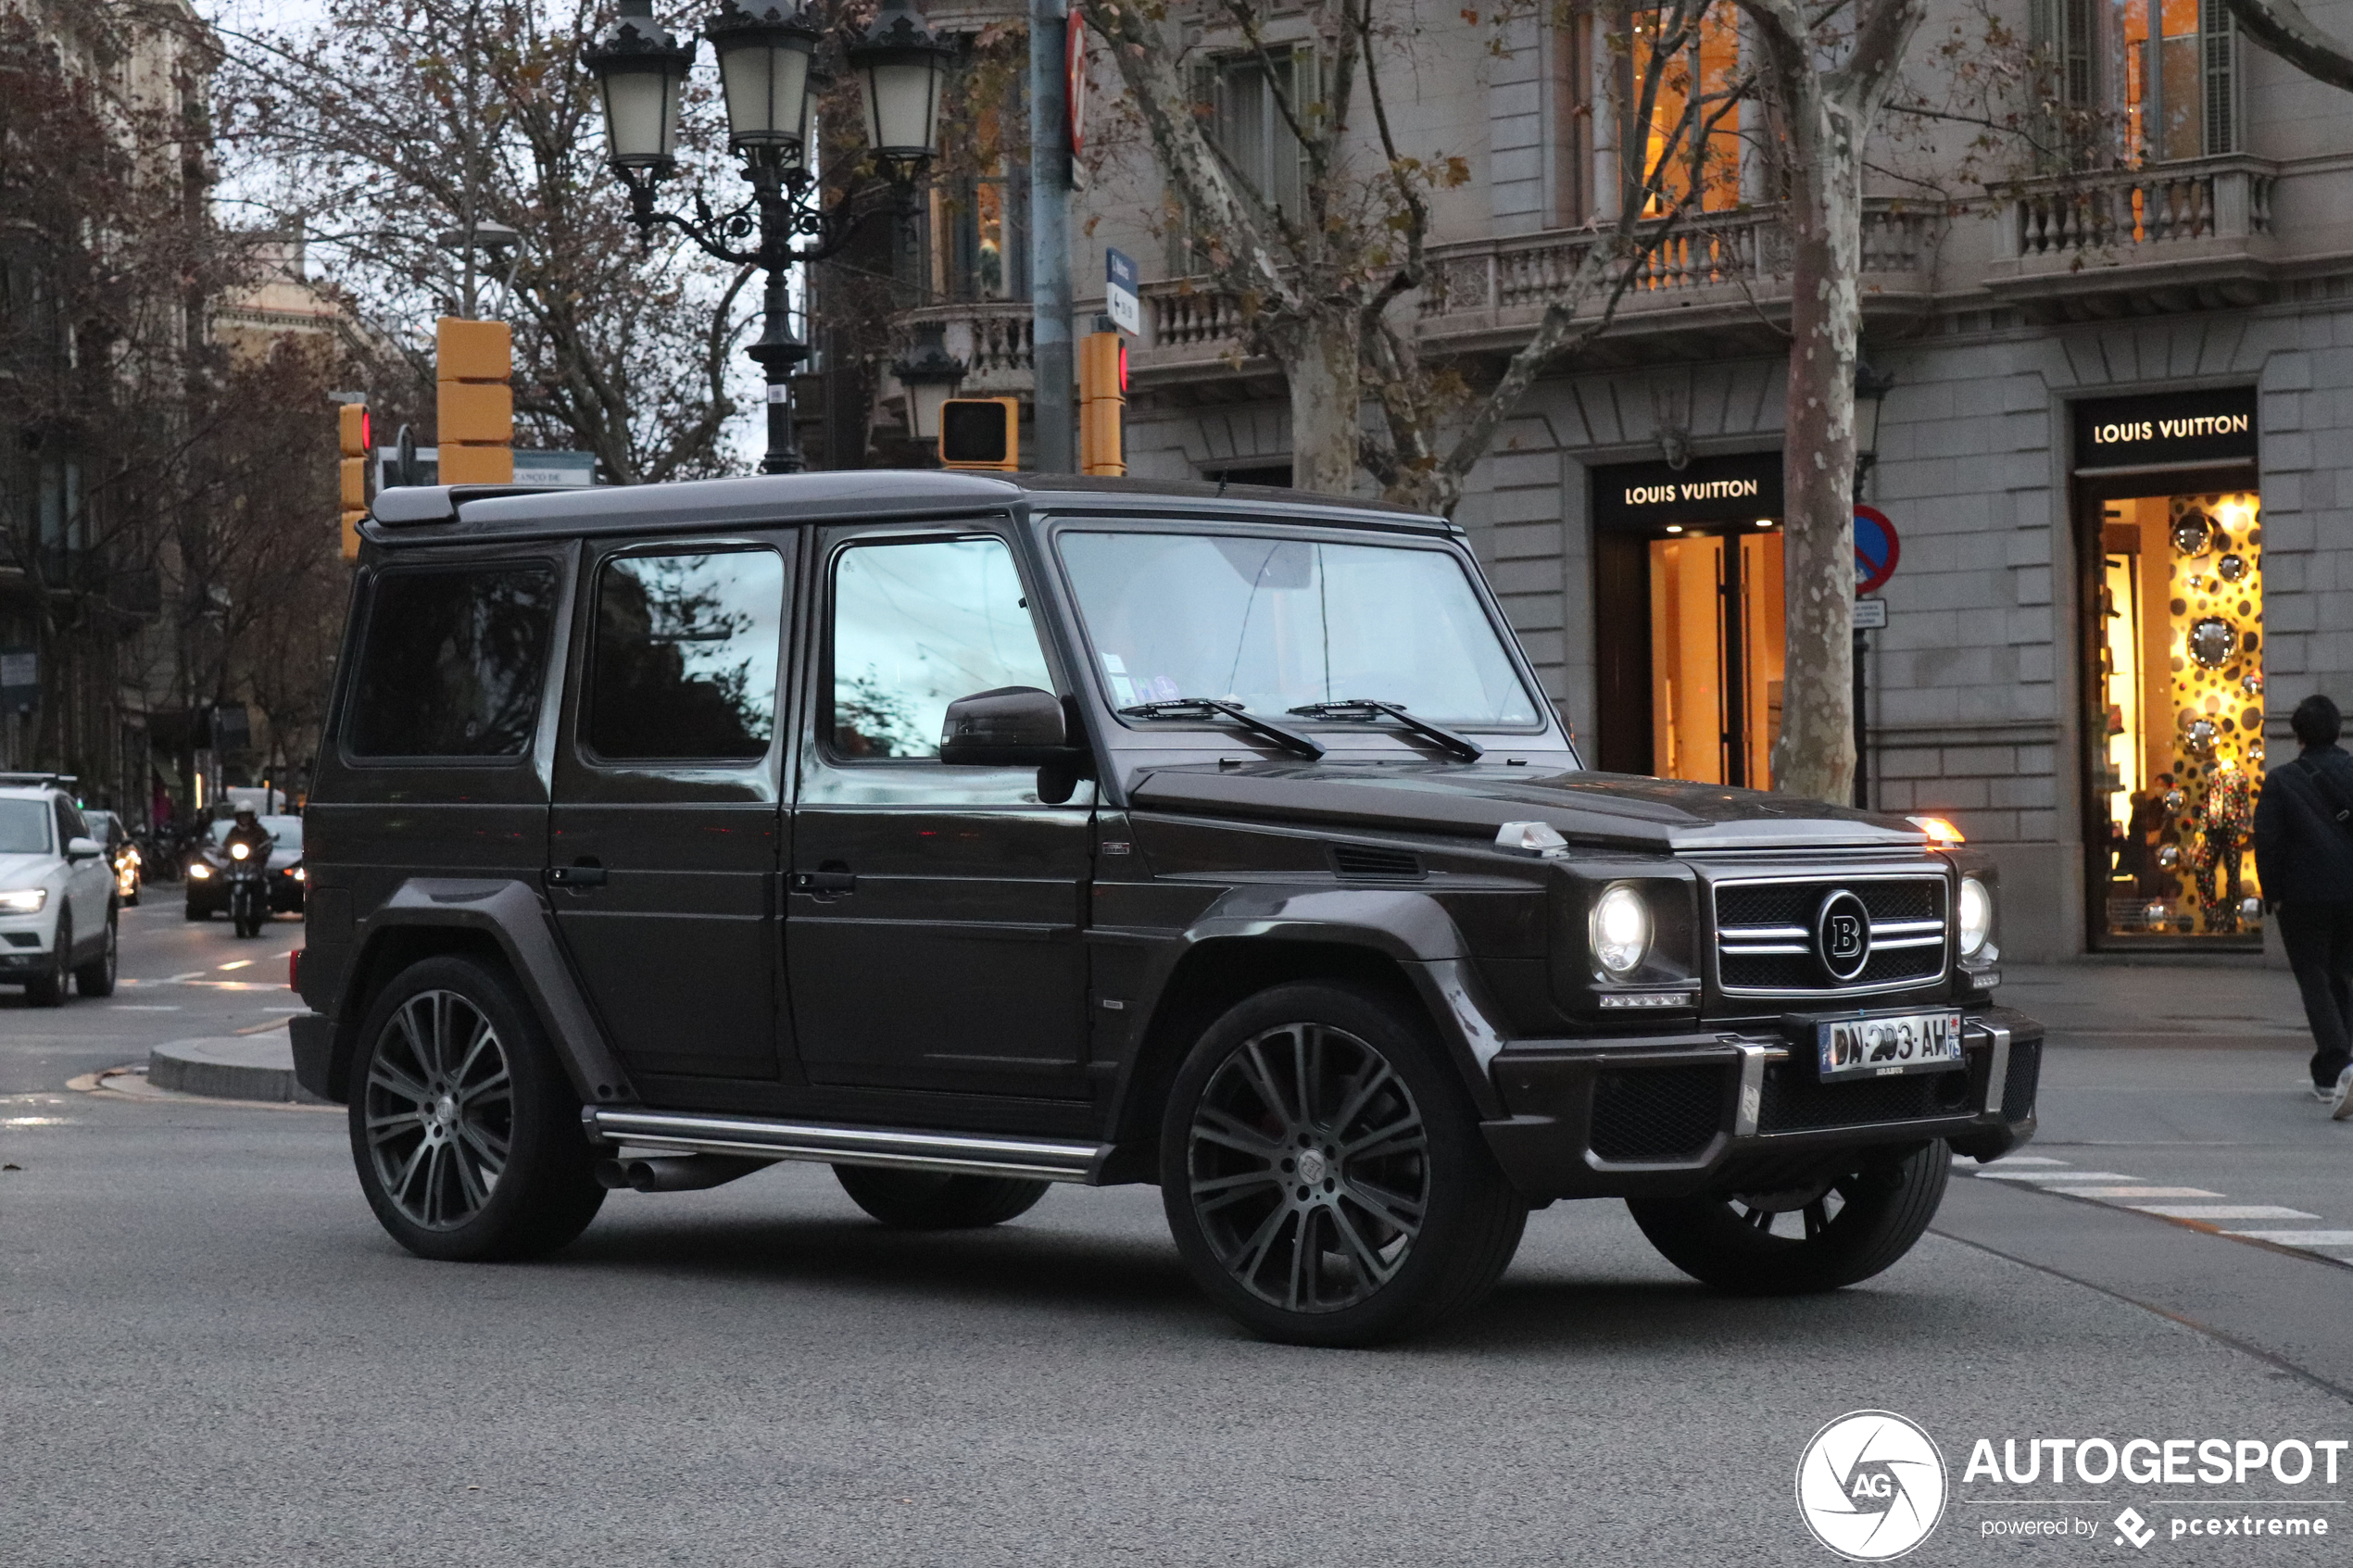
x=1279 y=624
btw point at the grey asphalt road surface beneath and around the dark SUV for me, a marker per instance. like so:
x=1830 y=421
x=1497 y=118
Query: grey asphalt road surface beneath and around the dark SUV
x=211 y=1353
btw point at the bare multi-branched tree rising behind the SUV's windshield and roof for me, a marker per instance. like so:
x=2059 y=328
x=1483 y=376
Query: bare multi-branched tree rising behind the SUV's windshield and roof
x=1324 y=288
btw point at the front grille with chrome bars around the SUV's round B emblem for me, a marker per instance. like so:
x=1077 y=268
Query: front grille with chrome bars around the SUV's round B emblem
x=1766 y=934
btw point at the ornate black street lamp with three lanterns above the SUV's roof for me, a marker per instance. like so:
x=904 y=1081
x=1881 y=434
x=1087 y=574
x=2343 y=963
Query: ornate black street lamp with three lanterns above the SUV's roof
x=771 y=83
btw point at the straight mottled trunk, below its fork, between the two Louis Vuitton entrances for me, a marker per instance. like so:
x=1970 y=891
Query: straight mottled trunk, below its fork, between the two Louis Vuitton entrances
x=1815 y=753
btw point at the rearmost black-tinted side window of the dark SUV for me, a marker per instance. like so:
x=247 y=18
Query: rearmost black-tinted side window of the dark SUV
x=453 y=664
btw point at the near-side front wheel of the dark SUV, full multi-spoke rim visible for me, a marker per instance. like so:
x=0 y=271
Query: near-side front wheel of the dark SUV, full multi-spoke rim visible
x=1359 y=1212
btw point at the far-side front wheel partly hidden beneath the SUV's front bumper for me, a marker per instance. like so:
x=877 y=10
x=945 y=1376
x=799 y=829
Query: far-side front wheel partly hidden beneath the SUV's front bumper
x=1797 y=1242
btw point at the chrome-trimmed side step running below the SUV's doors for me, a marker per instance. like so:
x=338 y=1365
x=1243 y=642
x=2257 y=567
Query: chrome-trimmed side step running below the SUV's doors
x=851 y=1146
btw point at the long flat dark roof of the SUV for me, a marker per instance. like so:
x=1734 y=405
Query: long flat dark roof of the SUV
x=458 y=514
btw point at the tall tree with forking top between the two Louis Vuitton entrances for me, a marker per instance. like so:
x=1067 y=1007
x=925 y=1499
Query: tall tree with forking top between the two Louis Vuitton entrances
x=1827 y=76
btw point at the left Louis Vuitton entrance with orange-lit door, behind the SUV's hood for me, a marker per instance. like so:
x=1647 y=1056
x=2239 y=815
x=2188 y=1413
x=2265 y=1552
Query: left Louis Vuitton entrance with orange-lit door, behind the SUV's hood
x=1691 y=619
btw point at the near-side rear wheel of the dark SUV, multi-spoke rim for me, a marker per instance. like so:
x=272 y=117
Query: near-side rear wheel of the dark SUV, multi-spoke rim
x=462 y=1123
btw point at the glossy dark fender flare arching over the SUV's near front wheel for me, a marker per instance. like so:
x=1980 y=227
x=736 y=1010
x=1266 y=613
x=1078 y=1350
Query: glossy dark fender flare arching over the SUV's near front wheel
x=1411 y=930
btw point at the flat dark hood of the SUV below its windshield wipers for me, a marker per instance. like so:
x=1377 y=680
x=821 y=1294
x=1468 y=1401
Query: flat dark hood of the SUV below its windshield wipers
x=1597 y=810
